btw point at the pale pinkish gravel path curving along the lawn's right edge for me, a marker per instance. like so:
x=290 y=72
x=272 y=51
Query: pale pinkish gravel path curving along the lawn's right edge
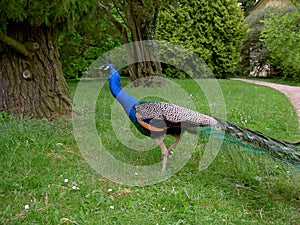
x=291 y=92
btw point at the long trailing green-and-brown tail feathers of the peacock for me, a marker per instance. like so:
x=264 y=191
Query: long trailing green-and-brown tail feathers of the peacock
x=258 y=142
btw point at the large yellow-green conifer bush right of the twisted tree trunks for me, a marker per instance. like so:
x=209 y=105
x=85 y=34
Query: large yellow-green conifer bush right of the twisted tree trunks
x=212 y=29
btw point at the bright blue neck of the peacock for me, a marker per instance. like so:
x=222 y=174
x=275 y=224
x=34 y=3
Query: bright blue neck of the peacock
x=125 y=99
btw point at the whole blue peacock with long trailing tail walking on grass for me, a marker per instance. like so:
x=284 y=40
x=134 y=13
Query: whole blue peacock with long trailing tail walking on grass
x=157 y=119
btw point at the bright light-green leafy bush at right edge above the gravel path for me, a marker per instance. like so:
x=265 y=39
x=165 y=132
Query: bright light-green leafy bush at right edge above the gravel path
x=281 y=35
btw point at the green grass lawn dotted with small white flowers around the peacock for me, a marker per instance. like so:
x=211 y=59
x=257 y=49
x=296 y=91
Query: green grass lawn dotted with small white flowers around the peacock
x=237 y=188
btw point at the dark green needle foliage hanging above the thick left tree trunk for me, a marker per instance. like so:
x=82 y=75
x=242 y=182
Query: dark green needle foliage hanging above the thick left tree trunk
x=50 y=13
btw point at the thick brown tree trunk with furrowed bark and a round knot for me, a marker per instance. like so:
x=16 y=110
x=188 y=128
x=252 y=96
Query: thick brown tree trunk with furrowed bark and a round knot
x=31 y=78
